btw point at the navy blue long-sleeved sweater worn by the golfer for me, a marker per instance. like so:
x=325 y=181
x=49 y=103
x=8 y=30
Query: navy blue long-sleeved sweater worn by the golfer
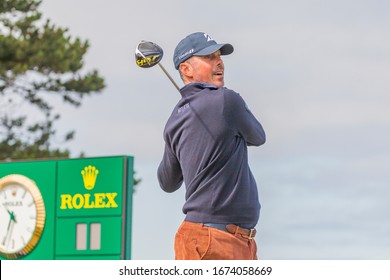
x=206 y=139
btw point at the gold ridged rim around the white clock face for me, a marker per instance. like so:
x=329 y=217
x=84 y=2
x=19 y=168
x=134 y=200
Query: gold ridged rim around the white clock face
x=30 y=185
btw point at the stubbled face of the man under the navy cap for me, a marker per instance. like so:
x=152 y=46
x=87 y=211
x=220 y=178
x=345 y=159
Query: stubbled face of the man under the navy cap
x=208 y=69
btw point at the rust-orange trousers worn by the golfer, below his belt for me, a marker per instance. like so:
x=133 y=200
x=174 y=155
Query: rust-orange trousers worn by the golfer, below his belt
x=195 y=241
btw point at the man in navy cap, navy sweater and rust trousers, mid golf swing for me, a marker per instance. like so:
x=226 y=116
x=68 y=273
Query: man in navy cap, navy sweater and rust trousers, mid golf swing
x=206 y=139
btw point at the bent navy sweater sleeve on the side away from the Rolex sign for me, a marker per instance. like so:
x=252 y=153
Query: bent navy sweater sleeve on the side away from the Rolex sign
x=242 y=120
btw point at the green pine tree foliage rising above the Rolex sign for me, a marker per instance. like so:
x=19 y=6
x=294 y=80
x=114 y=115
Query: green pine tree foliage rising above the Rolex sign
x=39 y=62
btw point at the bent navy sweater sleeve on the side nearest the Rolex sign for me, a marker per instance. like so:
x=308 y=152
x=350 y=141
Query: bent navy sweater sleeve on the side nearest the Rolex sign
x=169 y=172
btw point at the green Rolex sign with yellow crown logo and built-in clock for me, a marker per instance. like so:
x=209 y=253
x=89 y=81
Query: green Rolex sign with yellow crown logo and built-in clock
x=66 y=209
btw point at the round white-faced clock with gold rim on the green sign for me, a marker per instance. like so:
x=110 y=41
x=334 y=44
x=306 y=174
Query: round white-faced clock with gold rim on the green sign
x=22 y=216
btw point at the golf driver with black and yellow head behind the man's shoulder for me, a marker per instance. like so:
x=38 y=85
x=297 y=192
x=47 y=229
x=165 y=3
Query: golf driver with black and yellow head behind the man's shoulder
x=148 y=54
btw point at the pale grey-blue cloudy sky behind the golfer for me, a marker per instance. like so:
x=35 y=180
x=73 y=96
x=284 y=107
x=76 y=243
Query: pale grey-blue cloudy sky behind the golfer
x=316 y=75
